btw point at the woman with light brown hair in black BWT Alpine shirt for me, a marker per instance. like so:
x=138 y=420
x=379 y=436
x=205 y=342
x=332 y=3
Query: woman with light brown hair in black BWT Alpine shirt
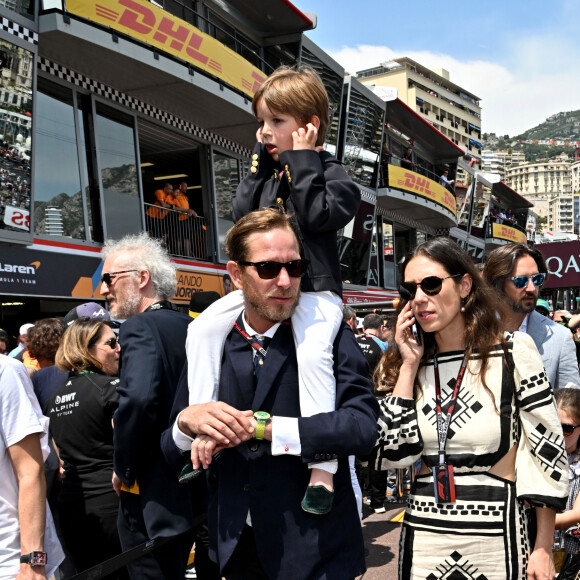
x=81 y=421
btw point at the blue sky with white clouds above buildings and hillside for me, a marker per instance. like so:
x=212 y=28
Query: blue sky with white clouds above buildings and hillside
x=521 y=58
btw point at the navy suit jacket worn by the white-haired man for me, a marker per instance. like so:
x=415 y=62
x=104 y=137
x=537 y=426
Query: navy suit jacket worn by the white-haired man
x=152 y=357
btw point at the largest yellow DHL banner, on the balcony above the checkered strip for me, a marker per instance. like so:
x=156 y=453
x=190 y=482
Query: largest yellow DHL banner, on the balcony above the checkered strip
x=154 y=26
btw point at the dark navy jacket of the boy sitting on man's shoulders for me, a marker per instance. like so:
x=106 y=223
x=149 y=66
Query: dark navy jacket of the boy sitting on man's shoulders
x=317 y=190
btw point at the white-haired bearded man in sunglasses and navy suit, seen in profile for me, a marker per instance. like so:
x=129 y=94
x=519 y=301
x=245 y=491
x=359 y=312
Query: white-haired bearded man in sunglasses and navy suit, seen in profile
x=137 y=281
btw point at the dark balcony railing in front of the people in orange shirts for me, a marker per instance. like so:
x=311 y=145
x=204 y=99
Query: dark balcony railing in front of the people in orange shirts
x=183 y=237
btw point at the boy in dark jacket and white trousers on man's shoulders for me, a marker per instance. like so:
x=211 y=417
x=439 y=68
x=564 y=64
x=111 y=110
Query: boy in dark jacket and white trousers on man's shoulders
x=291 y=171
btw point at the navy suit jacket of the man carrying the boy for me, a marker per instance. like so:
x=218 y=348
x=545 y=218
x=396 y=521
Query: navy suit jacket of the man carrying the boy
x=291 y=544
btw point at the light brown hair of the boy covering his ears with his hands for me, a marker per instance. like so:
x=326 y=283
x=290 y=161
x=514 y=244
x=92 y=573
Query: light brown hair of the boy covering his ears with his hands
x=298 y=92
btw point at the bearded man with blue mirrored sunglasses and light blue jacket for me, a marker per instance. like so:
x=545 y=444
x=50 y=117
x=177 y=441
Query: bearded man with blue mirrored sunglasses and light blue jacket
x=518 y=272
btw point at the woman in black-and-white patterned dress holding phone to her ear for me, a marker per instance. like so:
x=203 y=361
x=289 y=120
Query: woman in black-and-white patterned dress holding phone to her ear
x=475 y=405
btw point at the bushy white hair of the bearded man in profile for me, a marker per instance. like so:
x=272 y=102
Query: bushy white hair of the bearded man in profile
x=141 y=252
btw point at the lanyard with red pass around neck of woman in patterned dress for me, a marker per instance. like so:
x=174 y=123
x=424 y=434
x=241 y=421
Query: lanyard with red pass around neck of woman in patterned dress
x=443 y=479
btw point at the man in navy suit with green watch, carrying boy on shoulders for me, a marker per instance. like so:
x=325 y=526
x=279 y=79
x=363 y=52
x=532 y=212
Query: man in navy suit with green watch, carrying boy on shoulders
x=257 y=527
